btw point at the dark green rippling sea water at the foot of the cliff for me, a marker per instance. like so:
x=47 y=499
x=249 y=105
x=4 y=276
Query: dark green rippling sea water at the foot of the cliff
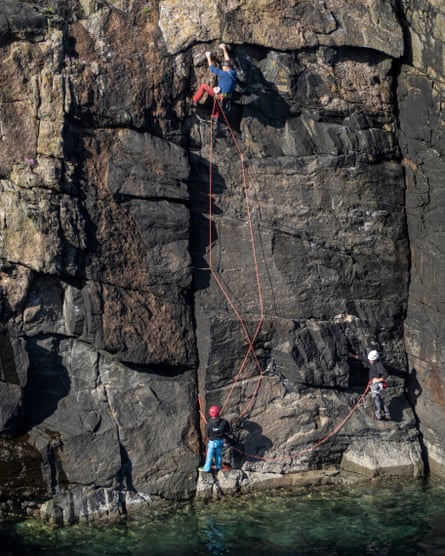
x=395 y=518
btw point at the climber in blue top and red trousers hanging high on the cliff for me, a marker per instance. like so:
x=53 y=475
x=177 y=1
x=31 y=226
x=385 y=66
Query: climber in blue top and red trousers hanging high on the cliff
x=226 y=85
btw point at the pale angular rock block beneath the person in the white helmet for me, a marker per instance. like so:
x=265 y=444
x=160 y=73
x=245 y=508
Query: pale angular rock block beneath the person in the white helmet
x=376 y=457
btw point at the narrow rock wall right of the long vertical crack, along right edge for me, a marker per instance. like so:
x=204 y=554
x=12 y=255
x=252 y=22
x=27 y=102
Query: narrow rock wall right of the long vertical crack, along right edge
x=420 y=97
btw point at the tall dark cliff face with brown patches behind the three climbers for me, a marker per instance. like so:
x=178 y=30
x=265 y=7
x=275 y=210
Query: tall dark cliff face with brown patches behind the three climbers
x=127 y=296
